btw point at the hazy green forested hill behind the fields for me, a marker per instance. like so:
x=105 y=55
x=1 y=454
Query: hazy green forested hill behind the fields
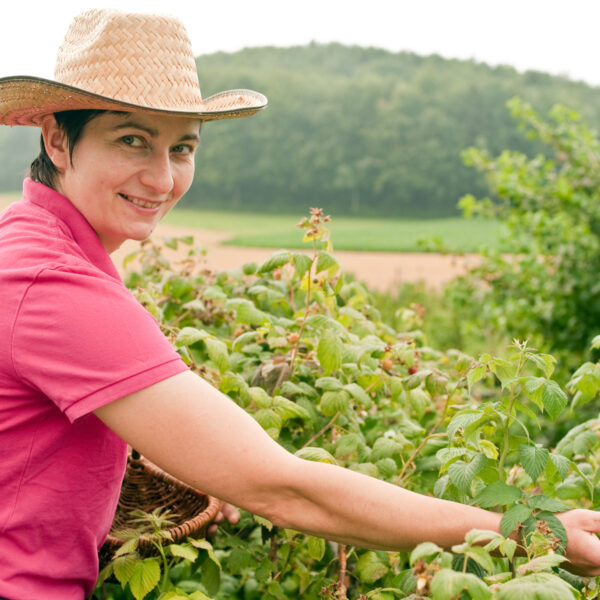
x=353 y=130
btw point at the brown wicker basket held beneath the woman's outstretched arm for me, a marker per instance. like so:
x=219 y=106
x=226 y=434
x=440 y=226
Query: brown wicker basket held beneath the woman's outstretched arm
x=146 y=487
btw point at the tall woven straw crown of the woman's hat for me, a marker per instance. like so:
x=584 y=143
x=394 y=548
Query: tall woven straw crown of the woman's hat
x=141 y=59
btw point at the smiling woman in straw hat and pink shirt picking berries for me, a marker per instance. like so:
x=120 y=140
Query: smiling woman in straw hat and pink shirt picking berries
x=84 y=369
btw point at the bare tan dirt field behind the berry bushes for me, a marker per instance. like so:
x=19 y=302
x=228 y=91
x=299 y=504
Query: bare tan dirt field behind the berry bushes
x=383 y=271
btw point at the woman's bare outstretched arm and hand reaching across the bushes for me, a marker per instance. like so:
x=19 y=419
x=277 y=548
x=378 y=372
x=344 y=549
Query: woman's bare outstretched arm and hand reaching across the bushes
x=200 y=436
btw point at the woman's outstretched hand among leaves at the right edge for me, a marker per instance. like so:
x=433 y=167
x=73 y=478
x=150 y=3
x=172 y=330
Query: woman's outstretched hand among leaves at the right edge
x=583 y=545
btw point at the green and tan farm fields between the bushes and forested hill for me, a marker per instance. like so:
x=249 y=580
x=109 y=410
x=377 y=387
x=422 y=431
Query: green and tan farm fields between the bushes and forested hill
x=382 y=253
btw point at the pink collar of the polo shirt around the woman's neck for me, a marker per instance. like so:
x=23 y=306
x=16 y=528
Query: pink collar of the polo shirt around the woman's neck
x=81 y=231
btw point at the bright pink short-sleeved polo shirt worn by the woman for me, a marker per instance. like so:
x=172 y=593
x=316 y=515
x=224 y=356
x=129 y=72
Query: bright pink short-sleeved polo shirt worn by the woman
x=72 y=339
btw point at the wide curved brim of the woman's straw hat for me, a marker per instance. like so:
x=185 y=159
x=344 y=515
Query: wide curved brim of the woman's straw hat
x=25 y=100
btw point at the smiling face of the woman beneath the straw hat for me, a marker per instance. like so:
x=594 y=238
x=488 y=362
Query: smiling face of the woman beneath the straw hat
x=128 y=170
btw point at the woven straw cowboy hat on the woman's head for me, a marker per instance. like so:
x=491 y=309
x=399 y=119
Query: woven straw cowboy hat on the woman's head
x=122 y=61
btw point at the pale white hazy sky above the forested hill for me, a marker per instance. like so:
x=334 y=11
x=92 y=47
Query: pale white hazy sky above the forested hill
x=556 y=36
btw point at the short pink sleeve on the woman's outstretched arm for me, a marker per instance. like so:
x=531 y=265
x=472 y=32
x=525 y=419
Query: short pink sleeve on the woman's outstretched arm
x=83 y=340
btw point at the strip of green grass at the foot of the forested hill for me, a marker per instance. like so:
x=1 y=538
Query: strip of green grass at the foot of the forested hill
x=379 y=235
